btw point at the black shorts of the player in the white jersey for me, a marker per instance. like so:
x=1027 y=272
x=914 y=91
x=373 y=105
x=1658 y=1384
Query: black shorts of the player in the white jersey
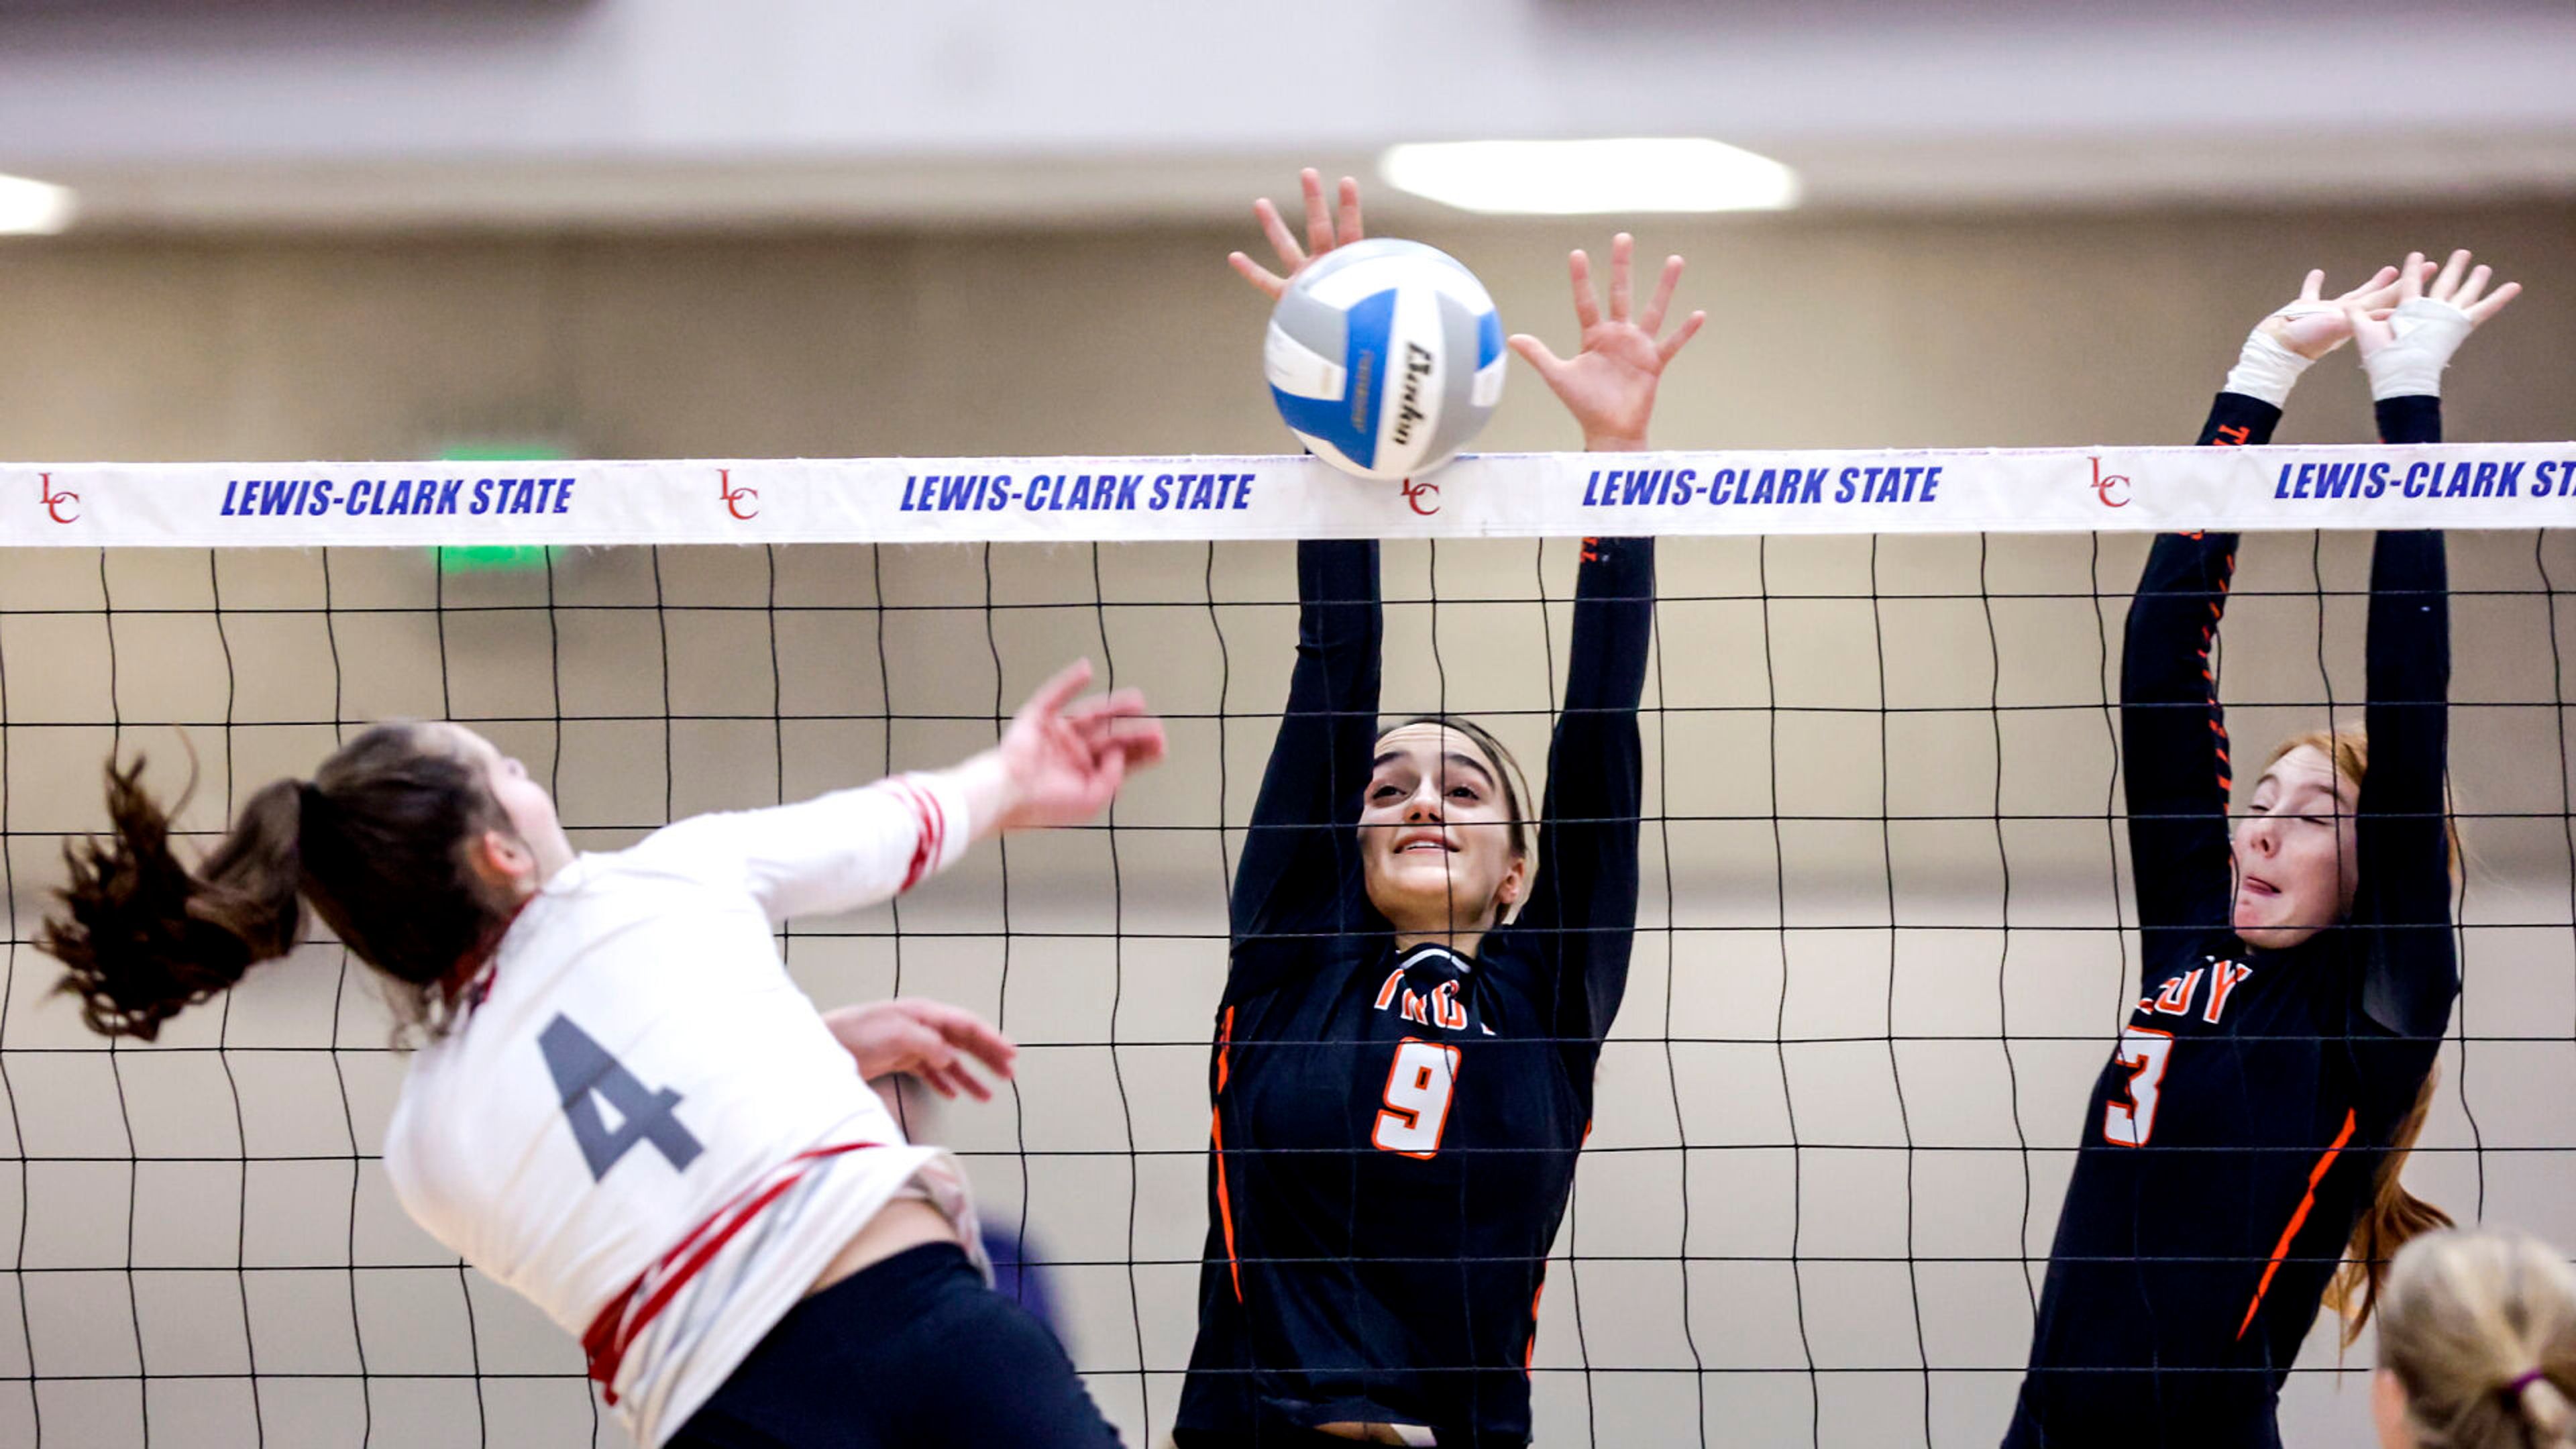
x=905 y=1352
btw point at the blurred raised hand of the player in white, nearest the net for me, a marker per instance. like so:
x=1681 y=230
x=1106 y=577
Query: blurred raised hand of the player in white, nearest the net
x=1063 y=762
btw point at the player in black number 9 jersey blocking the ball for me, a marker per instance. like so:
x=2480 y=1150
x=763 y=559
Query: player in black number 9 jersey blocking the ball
x=1418 y=991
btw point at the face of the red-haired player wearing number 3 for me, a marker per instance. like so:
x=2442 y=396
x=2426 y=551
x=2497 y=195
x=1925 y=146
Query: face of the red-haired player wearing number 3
x=2297 y=860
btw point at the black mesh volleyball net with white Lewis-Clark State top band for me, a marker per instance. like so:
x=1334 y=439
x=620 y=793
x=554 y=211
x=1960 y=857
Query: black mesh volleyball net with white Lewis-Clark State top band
x=1884 y=945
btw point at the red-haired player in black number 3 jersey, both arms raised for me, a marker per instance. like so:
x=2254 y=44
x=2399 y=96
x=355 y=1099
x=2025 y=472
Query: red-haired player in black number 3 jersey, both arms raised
x=2299 y=973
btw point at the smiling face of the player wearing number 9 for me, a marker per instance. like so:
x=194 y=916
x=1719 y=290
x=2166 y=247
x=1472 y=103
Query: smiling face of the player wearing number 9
x=1436 y=839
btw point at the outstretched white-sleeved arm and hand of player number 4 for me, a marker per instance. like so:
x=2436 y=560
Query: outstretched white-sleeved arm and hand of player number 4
x=1057 y=764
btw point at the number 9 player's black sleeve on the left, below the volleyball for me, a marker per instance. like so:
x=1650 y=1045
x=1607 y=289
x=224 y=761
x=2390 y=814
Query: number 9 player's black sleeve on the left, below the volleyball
x=1302 y=850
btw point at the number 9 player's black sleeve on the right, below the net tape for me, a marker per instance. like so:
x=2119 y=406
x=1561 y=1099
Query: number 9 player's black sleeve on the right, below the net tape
x=1583 y=904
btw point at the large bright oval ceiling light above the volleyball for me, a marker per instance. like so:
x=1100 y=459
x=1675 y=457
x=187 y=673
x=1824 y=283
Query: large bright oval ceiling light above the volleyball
x=1565 y=179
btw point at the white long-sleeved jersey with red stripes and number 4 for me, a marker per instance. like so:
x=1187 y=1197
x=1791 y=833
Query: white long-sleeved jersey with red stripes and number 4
x=643 y=1125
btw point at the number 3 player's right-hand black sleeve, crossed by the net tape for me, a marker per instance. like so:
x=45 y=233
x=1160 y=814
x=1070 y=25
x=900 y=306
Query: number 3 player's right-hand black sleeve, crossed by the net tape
x=2402 y=834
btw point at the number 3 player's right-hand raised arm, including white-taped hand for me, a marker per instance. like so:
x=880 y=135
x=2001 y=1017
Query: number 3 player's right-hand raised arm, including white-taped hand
x=2405 y=826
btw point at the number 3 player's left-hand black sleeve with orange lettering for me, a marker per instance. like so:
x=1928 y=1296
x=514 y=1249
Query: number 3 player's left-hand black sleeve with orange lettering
x=2173 y=731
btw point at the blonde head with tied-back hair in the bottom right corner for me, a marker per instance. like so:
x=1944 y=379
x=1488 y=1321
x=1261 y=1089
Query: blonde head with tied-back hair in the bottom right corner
x=2477 y=1345
